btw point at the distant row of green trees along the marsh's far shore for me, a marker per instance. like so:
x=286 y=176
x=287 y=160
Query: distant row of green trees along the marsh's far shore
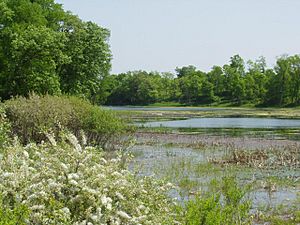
x=235 y=83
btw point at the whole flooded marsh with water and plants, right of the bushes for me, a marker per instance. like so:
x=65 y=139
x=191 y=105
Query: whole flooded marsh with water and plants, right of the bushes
x=261 y=152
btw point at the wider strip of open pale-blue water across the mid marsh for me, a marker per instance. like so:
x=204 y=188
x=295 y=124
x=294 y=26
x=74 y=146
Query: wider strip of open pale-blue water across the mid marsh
x=227 y=123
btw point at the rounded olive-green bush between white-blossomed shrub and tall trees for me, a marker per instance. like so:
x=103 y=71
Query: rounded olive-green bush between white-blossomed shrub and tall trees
x=33 y=117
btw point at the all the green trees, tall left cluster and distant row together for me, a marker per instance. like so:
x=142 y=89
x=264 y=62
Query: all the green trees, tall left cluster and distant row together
x=47 y=50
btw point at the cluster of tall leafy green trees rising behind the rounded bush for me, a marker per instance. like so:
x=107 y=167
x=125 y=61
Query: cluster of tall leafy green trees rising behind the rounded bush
x=44 y=49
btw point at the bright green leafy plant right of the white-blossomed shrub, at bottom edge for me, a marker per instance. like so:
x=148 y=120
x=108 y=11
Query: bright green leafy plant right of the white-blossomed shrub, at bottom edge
x=224 y=204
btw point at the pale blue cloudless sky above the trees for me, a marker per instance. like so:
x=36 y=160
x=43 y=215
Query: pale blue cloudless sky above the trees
x=160 y=35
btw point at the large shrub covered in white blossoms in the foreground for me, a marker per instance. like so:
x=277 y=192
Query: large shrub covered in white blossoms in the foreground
x=68 y=183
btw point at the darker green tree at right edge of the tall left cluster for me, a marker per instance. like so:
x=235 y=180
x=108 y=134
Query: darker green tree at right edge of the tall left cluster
x=89 y=56
